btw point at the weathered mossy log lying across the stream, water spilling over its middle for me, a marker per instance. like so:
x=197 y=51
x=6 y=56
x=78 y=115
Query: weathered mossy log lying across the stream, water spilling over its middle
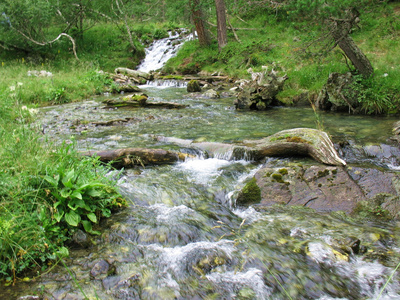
x=292 y=142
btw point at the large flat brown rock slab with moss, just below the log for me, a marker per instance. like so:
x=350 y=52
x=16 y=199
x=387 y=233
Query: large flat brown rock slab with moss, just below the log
x=324 y=188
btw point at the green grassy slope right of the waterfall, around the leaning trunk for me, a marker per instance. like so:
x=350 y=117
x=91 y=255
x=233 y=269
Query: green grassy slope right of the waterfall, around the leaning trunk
x=293 y=47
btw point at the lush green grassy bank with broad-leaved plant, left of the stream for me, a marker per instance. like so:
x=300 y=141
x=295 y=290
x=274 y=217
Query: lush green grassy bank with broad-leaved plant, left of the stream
x=47 y=192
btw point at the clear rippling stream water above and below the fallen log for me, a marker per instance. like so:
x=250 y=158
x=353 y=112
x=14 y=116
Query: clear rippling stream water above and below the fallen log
x=183 y=237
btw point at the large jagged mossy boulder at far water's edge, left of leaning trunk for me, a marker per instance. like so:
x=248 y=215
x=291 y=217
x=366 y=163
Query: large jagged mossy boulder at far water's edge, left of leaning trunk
x=261 y=91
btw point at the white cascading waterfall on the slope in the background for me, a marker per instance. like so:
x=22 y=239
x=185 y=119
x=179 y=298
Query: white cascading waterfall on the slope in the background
x=160 y=51
